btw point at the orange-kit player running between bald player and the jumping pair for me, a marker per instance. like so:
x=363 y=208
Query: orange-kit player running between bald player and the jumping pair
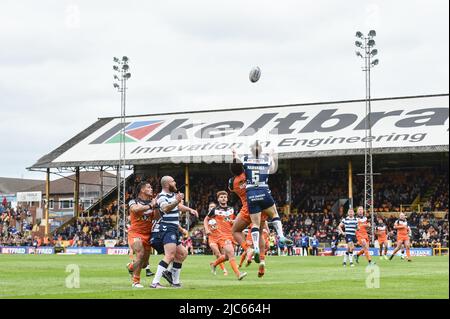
x=224 y=216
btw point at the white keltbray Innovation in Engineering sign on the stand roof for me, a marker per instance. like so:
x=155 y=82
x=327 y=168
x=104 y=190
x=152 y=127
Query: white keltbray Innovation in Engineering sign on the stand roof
x=315 y=128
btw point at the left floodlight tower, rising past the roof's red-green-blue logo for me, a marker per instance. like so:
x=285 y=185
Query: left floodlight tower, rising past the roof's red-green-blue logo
x=121 y=75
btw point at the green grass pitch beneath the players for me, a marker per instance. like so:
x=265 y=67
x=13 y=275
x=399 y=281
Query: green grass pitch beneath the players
x=102 y=276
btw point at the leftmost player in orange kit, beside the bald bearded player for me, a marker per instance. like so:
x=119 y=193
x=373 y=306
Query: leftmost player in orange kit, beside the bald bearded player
x=141 y=214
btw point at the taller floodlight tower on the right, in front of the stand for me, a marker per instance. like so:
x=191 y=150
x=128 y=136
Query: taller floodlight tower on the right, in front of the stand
x=366 y=44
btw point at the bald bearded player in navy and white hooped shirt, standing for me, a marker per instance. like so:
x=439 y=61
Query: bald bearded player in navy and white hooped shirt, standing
x=166 y=232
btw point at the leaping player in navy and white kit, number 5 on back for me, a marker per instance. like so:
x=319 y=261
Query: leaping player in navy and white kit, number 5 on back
x=258 y=167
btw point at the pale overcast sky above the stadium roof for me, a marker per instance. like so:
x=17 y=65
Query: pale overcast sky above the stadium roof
x=56 y=59
